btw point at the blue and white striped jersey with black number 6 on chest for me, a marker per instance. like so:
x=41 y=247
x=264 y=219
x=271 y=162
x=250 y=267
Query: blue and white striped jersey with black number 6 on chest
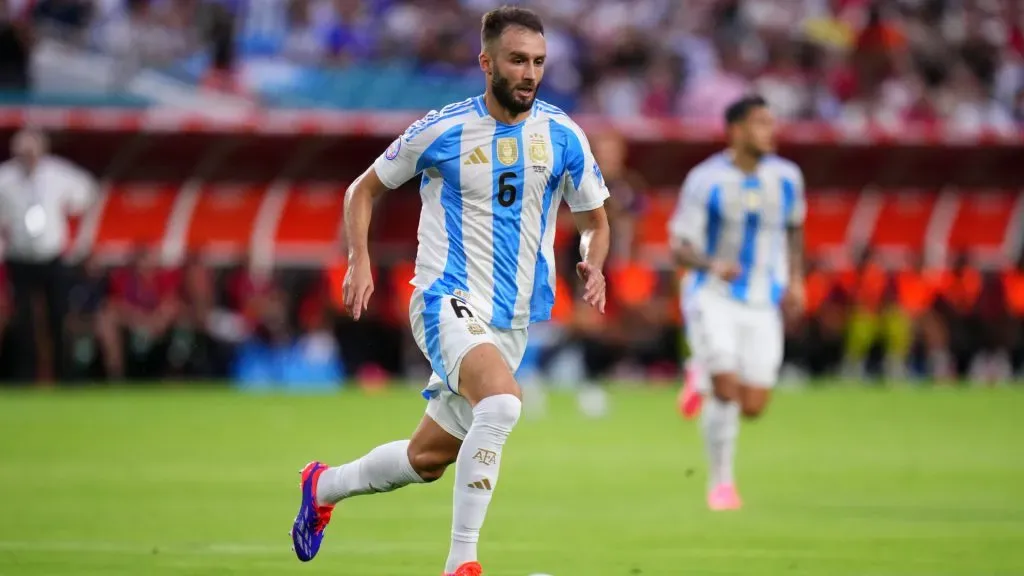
x=491 y=194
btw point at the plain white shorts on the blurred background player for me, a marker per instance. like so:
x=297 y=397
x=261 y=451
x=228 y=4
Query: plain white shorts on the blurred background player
x=729 y=337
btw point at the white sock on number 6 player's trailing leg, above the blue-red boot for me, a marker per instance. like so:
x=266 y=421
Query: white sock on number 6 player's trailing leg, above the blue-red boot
x=383 y=470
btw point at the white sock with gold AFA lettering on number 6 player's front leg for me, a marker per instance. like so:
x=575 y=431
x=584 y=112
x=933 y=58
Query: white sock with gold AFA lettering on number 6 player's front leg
x=477 y=473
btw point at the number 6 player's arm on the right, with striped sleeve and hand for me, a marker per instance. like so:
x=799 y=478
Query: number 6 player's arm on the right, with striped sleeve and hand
x=585 y=192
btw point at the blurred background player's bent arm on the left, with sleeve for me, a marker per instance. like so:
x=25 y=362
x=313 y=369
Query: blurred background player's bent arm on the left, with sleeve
x=689 y=229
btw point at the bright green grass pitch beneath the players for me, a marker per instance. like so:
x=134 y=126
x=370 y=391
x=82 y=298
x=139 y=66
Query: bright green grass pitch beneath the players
x=837 y=482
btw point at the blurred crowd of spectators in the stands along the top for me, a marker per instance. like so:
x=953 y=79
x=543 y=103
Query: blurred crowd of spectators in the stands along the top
x=841 y=61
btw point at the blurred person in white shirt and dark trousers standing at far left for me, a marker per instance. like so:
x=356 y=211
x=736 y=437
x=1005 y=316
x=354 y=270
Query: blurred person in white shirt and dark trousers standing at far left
x=38 y=193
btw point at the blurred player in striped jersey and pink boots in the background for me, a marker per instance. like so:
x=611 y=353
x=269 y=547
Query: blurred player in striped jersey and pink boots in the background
x=739 y=231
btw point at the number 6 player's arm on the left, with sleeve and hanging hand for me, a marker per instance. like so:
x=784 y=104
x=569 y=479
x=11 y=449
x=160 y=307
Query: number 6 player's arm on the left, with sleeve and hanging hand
x=408 y=156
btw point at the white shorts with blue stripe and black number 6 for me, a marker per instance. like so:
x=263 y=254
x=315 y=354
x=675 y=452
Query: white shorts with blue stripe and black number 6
x=446 y=328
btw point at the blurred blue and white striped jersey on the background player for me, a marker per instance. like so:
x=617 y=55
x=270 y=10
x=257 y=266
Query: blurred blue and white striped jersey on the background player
x=727 y=214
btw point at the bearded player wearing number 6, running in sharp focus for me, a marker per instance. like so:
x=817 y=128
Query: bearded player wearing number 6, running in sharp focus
x=494 y=170
